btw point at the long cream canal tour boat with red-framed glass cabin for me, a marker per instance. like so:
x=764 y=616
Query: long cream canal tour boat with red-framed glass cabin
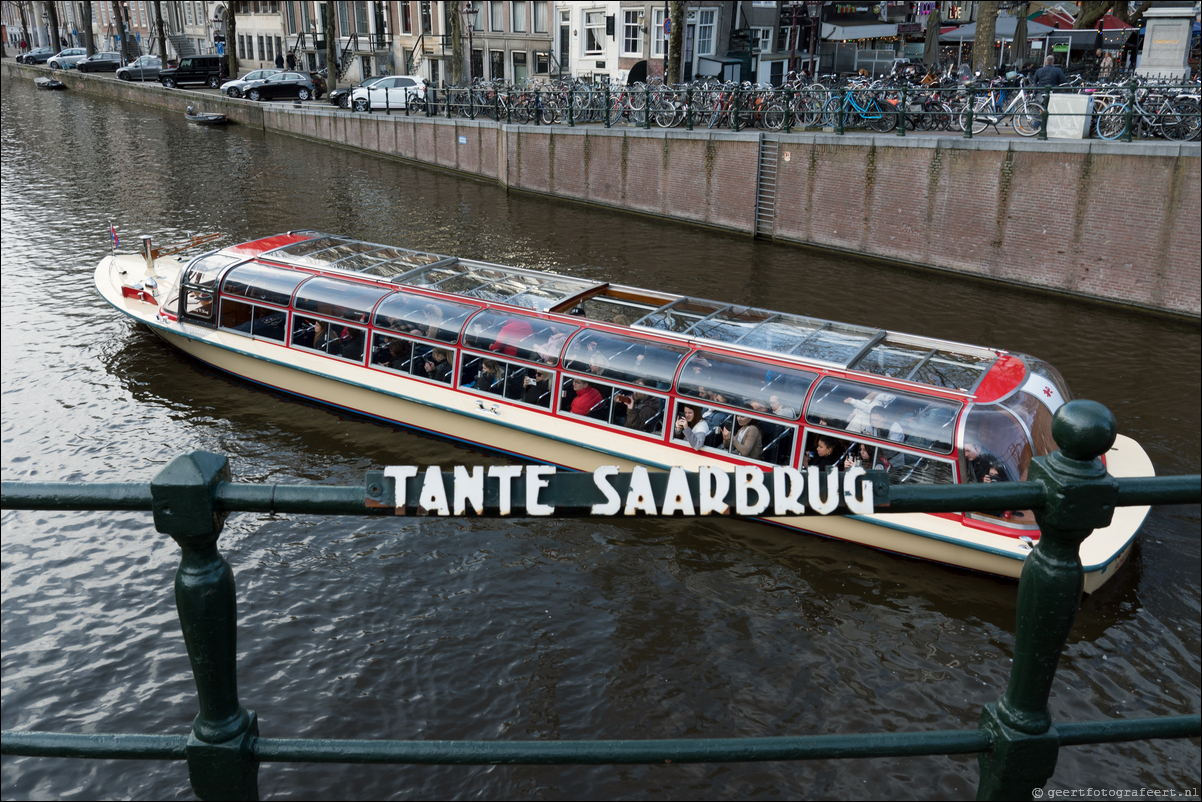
x=584 y=373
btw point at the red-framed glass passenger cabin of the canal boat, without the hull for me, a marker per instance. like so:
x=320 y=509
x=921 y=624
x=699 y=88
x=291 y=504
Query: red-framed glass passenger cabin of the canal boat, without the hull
x=741 y=384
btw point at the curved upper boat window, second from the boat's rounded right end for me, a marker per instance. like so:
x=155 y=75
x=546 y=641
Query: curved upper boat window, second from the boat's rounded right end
x=741 y=383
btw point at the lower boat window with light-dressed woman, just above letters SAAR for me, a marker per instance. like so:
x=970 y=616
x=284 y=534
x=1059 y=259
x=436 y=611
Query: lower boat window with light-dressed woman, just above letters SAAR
x=740 y=433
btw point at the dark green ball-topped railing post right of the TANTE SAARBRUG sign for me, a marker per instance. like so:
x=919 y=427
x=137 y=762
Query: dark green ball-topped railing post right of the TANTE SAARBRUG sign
x=1081 y=497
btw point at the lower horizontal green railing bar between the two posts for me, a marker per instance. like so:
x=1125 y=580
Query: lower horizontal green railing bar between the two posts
x=534 y=753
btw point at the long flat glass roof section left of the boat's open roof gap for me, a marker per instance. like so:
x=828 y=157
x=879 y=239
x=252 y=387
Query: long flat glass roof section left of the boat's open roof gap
x=496 y=283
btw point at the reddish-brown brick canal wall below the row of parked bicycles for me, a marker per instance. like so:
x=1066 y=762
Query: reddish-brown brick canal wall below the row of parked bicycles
x=1098 y=219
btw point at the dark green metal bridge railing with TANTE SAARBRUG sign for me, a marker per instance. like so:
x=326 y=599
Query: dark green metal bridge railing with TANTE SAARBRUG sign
x=1017 y=742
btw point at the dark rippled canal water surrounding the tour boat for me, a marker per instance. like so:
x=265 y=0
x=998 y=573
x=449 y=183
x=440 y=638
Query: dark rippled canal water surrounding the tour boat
x=517 y=629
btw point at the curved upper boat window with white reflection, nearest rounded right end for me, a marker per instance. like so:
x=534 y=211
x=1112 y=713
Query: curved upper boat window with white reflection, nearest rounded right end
x=905 y=418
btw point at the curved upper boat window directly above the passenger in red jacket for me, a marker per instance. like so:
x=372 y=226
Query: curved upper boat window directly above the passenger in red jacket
x=624 y=359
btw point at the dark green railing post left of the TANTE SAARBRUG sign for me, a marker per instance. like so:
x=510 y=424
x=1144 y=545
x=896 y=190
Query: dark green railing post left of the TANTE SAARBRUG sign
x=221 y=763
